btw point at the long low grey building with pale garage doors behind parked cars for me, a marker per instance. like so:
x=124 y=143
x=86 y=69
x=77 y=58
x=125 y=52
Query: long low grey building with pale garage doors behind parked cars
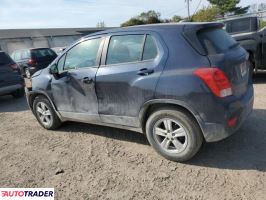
x=15 y=39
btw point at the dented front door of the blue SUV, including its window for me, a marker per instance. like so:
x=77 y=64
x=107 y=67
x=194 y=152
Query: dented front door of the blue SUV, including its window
x=73 y=89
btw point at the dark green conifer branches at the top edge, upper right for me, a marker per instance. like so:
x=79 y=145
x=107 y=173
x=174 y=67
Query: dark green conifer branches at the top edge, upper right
x=225 y=5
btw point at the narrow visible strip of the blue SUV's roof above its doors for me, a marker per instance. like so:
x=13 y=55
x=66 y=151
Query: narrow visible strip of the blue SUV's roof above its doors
x=154 y=27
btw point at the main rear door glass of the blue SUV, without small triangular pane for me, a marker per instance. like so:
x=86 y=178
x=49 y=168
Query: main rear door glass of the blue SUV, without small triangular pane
x=125 y=48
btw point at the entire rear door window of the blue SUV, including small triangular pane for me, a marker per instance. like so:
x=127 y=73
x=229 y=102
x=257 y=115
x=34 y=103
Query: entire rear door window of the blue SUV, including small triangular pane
x=131 y=48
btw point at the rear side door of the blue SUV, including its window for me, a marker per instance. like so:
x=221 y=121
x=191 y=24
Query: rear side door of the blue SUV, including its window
x=128 y=75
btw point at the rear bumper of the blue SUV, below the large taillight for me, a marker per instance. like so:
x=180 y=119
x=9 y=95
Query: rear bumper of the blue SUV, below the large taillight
x=240 y=108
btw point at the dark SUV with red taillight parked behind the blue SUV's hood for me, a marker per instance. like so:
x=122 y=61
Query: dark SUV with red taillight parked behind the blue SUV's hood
x=32 y=60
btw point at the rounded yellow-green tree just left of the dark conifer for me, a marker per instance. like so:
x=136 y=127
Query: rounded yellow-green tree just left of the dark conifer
x=206 y=14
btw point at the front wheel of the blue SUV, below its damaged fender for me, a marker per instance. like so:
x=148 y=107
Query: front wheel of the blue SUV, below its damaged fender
x=46 y=116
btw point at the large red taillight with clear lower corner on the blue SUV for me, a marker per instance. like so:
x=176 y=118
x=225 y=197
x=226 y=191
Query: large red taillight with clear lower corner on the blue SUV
x=216 y=80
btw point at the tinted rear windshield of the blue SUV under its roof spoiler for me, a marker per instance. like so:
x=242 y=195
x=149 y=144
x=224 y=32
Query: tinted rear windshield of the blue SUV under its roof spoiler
x=216 y=40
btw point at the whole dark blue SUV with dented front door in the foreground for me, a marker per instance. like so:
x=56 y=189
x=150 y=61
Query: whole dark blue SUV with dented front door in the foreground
x=180 y=84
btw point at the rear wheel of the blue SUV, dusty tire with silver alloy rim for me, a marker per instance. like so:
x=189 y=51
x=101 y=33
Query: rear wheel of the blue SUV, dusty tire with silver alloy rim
x=185 y=143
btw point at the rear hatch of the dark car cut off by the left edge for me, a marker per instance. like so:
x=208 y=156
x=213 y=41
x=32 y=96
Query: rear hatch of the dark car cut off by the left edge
x=8 y=76
